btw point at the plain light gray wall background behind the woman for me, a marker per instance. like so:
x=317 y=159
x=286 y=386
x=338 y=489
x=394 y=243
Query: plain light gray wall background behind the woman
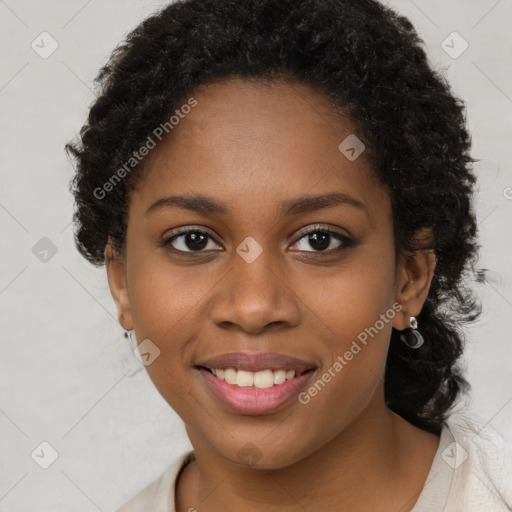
x=64 y=366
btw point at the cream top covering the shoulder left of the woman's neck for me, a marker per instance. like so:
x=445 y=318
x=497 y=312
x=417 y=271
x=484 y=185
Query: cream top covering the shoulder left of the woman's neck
x=158 y=496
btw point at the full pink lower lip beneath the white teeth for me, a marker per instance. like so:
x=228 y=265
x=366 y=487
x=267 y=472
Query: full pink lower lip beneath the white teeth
x=252 y=400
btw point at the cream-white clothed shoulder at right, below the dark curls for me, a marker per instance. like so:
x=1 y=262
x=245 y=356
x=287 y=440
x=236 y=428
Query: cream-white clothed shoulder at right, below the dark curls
x=481 y=459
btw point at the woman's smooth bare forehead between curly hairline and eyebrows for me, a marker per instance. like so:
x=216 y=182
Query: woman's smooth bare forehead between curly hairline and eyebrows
x=252 y=144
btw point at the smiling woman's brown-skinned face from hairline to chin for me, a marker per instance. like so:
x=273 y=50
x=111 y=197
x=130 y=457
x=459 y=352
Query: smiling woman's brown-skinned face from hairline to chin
x=257 y=270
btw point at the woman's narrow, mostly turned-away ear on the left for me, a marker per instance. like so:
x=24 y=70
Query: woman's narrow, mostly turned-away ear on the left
x=115 y=266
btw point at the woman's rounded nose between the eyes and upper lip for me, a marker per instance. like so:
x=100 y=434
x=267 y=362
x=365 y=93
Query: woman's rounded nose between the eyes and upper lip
x=255 y=297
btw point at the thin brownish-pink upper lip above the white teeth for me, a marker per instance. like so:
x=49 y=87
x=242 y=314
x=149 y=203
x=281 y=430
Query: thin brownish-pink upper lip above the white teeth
x=257 y=361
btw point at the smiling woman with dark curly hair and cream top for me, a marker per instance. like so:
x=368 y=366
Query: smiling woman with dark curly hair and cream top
x=281 y=194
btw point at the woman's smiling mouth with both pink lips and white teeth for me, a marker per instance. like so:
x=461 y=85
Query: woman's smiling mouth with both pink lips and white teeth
x=255 y=384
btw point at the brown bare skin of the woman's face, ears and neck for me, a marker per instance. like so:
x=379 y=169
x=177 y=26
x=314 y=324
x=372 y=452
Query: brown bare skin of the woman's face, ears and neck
x=252 y=146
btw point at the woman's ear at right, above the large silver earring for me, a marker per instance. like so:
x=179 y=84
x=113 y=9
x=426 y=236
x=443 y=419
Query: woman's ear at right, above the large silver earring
x=414 y=276
